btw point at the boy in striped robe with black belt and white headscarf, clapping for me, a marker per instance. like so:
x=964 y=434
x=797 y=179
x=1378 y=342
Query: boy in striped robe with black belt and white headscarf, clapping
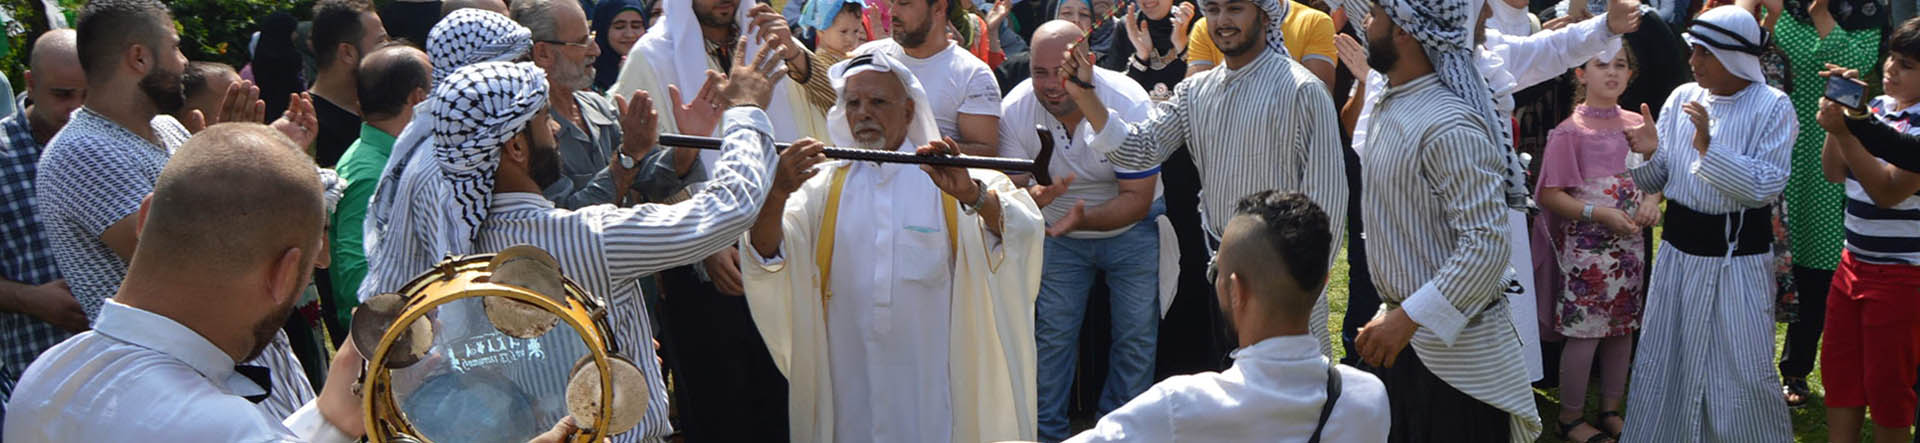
x=1708 y=337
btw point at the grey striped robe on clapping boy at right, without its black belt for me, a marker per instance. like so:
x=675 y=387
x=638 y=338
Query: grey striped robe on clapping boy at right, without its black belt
x=1708 y=333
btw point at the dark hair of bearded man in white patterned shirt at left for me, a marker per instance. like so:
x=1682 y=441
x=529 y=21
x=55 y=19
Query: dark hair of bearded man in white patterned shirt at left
x=108 y=28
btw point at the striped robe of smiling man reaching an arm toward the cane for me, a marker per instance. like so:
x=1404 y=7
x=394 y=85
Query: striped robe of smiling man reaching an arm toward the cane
x=1268 y=126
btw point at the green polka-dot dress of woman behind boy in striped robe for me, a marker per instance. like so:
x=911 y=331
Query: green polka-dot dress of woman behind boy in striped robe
x=1815 y=206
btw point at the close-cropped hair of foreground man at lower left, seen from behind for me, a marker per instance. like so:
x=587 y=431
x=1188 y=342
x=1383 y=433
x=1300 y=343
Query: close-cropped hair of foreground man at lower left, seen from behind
x=231 y=200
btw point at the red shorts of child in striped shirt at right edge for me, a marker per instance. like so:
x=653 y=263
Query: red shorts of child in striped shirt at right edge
x=1871 y=350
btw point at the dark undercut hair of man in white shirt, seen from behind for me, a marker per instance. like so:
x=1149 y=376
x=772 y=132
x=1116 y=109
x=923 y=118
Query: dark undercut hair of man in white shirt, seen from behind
x=1297 y=231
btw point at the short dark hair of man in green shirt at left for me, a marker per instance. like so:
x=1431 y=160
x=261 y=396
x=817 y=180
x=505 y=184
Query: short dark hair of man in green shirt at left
x=389 y=78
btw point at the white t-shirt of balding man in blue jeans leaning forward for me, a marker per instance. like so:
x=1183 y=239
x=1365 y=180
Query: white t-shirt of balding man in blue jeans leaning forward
x=1095 y=181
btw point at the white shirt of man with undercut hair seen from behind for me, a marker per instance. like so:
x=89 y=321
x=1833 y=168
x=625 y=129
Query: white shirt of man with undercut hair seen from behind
x=1274 y=392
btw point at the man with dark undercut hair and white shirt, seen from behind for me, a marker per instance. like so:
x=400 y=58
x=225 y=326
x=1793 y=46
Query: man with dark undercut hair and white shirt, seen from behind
x=1268 y=275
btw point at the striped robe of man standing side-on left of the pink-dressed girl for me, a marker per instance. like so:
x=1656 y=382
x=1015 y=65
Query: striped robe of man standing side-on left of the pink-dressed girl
x=1433 y=195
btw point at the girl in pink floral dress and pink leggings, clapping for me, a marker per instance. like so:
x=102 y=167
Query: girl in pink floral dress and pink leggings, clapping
x=1595 y=220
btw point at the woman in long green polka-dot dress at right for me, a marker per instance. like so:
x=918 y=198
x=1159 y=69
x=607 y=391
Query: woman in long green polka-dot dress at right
x=1817 y=34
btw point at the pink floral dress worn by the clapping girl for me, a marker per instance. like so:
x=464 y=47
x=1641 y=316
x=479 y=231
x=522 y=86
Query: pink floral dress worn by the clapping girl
x=1600 y=279
